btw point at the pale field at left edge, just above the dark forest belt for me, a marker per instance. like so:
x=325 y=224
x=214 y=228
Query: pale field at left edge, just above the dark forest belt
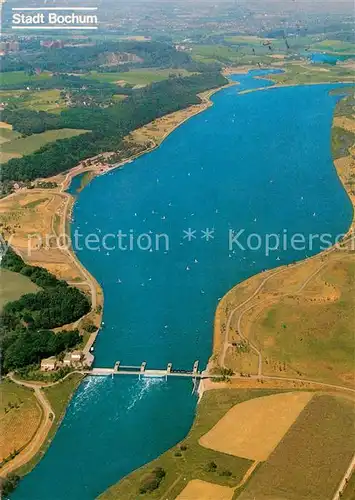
x=41 y=100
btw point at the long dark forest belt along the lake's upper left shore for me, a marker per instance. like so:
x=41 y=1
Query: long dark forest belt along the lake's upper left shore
x=109 y=126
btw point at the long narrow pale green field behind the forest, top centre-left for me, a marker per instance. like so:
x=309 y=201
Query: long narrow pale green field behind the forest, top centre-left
x=137 y=76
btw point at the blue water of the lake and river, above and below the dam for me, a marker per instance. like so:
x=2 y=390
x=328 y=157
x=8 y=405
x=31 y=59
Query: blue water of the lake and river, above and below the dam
x=259 y=162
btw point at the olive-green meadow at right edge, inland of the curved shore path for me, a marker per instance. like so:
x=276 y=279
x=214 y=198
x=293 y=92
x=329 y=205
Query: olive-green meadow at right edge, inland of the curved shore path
x=309 y=333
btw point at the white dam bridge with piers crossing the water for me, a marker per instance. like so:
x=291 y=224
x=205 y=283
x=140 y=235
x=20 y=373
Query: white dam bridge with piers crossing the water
x=142 y=371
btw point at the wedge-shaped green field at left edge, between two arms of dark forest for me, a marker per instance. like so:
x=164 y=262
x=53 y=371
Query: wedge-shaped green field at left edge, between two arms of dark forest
x=27 y=145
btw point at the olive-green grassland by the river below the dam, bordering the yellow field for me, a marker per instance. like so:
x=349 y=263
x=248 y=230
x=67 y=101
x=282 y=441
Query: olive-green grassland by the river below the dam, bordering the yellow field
x=182 y=465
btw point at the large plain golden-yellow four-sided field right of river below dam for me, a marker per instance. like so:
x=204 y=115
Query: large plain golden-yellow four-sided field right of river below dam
x=254 y=428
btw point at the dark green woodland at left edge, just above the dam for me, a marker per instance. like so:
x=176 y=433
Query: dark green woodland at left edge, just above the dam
x=25 y=334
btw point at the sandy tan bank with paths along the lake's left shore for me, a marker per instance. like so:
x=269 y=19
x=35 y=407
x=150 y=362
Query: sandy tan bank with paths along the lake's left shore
x=47 y=211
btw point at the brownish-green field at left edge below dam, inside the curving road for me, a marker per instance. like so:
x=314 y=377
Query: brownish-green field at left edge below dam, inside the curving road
x=20 y=417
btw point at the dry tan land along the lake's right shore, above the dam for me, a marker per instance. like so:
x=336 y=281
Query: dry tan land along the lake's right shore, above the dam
x=244 y=341
